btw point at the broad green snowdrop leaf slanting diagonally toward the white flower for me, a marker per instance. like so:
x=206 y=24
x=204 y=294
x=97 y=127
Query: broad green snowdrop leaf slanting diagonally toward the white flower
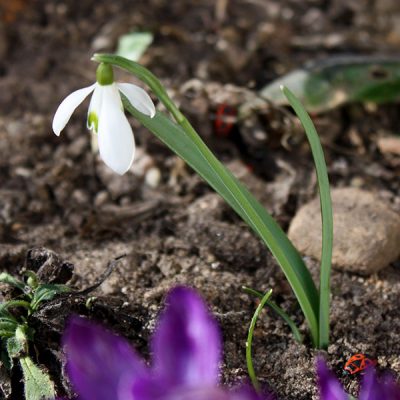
x=253 y=213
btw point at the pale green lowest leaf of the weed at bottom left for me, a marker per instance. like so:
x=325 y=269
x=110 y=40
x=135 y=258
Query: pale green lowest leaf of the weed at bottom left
x=38 y=385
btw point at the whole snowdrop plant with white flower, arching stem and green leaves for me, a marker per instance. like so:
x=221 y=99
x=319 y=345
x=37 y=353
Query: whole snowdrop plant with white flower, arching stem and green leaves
x=180 y=137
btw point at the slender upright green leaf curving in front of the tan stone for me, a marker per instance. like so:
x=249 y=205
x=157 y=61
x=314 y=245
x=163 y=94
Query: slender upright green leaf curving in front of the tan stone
x=326 y=215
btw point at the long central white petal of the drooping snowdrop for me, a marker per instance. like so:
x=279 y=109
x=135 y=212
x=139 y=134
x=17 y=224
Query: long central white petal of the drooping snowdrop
x=115 y=136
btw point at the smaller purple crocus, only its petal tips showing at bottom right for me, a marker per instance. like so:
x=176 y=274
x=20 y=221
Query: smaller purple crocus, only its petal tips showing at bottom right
x=371 y=388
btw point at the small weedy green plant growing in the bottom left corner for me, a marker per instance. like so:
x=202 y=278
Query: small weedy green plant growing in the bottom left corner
x=16 y=336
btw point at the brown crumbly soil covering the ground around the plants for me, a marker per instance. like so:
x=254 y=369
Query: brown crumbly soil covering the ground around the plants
x=56 y=194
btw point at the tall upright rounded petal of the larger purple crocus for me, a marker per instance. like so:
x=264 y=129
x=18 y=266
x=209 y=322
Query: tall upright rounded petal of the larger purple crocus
x=186 y=344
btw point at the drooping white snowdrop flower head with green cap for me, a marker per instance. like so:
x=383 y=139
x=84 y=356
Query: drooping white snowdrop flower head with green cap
x=106 y=116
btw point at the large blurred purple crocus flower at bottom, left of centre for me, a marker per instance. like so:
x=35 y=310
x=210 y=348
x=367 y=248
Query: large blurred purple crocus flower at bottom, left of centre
x=186 y=349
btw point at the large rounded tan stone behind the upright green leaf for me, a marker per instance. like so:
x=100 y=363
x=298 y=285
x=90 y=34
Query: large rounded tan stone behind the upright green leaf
x=366 y=231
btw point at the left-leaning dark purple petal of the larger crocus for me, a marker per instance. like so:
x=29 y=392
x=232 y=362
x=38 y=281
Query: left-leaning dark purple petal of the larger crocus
x=98 y=361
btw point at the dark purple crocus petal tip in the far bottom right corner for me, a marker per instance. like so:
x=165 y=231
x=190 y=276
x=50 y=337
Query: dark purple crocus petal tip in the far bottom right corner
x=385 y=389
